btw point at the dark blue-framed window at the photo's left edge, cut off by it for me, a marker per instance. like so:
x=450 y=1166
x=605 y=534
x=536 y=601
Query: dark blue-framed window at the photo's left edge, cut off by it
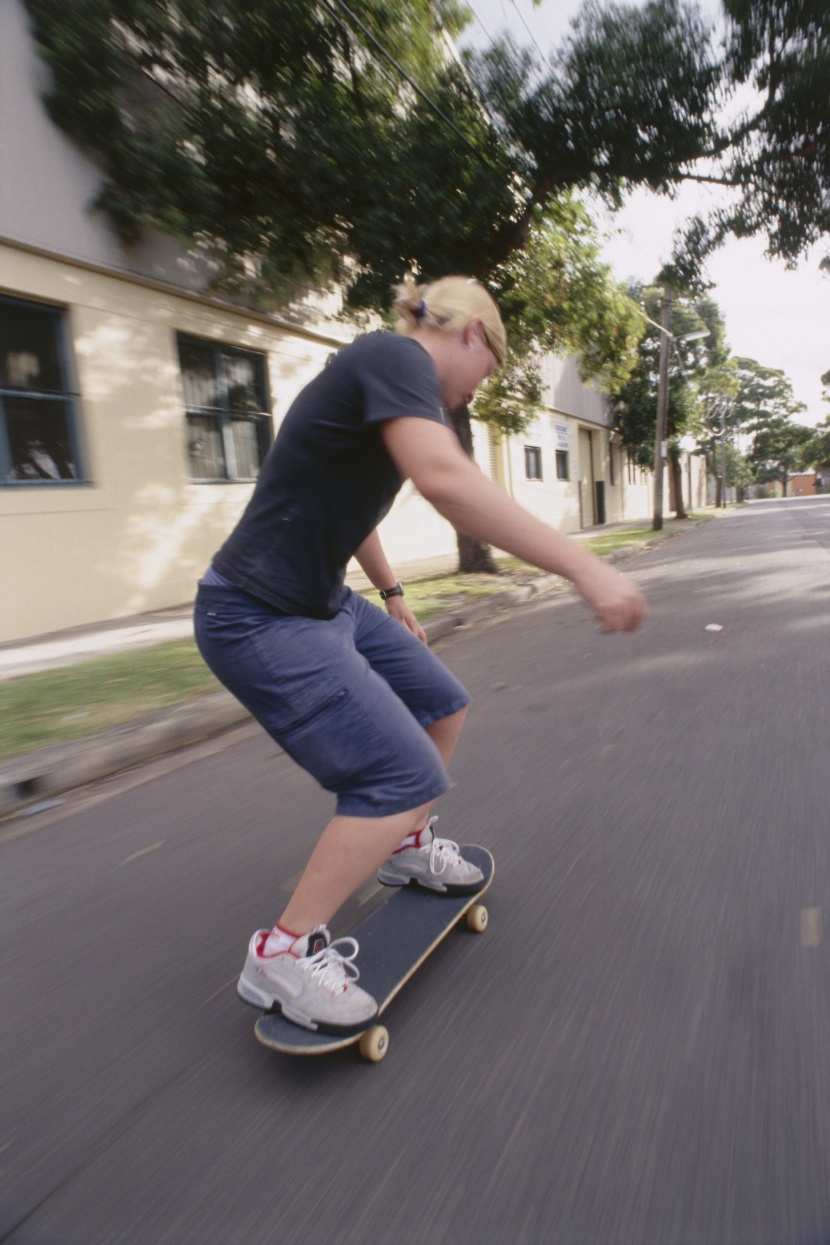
x=39 y=441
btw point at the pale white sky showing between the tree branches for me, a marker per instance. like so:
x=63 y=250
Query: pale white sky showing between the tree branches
x=778 y=317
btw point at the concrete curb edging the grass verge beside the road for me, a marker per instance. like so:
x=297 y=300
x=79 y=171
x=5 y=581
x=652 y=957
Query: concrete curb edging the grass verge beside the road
x=35 y=779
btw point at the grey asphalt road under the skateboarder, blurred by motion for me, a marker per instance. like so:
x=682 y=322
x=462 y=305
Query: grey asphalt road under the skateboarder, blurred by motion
x=635 y=1053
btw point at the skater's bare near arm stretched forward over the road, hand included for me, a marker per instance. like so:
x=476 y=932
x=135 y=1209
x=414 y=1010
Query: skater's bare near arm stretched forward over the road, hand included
x=431 y=456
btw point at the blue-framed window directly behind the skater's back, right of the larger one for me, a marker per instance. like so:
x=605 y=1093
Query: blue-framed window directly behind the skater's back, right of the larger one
x=227 y=408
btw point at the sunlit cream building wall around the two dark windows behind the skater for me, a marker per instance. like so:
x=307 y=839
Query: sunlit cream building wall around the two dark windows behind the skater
x=136 y=535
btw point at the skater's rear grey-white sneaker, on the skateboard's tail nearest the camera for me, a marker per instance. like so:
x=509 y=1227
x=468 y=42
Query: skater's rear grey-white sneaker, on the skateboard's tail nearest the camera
x=313 y=984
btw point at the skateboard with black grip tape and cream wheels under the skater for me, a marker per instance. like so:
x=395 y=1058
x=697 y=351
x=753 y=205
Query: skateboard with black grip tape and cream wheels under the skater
x=395 y=941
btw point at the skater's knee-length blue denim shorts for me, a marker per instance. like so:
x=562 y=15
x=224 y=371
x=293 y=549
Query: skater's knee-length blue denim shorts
x=347 y=698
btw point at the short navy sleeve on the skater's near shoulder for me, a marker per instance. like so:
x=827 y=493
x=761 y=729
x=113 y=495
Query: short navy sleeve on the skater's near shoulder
x=400 y=380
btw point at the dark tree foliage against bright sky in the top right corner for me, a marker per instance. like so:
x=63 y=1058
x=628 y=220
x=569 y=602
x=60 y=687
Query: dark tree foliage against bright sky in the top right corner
x=623 y=85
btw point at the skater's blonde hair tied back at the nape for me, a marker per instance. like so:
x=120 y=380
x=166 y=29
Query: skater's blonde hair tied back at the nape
x=450 y=304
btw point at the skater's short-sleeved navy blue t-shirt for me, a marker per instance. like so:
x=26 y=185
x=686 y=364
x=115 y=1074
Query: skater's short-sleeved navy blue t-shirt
x=328 y=480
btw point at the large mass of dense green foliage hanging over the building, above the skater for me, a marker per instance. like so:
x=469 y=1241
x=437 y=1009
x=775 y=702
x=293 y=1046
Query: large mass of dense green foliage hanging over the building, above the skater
x=281 y=135
